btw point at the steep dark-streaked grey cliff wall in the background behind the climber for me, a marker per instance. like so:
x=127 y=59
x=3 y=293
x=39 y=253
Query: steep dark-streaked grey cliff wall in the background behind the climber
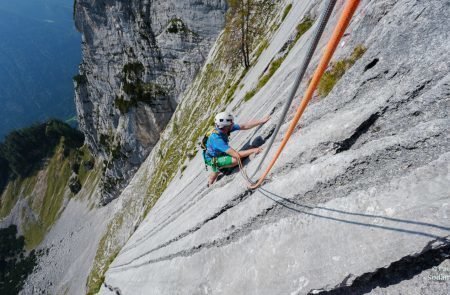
x=138 y=56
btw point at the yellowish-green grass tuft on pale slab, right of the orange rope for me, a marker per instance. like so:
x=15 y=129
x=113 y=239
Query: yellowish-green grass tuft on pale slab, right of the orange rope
x=337 y=70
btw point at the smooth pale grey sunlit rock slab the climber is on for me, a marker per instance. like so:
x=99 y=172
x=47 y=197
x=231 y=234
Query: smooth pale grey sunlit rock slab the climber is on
x=358 y=202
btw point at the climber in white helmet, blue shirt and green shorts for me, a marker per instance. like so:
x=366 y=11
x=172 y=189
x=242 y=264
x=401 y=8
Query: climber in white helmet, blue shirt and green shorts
x=218 y=154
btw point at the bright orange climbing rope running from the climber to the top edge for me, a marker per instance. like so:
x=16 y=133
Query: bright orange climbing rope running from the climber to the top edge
x=339 y=30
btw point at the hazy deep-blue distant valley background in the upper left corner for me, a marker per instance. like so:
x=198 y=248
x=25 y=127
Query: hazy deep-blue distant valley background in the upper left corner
x=39 y=54
